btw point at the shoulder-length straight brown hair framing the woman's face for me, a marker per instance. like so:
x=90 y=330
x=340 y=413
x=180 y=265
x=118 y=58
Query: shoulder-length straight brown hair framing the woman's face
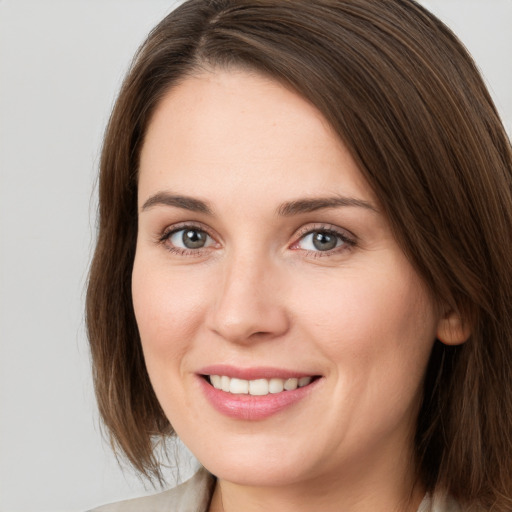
x=408 y=102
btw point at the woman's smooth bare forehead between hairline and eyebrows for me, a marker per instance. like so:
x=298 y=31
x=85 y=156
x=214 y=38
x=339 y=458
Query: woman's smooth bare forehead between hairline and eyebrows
x=246 y=129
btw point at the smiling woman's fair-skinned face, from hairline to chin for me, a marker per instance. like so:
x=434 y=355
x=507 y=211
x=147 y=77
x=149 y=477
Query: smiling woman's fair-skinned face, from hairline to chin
x=263 y=259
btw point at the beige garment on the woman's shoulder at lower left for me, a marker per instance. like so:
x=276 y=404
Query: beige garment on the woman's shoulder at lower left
x=191 y=496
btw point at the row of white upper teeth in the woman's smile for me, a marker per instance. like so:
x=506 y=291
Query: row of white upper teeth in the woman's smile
x=258 y=387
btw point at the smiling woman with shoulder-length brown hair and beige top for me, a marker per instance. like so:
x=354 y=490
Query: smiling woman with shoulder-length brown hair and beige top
x=303 y=263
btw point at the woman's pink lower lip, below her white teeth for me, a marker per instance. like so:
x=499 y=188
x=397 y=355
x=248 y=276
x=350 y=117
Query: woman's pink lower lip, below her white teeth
x=251 y=408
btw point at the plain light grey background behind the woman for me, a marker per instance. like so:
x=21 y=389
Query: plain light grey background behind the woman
x=61 y=63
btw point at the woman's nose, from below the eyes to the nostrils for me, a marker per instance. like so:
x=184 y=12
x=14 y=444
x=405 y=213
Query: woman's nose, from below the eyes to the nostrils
x=249 y=304
